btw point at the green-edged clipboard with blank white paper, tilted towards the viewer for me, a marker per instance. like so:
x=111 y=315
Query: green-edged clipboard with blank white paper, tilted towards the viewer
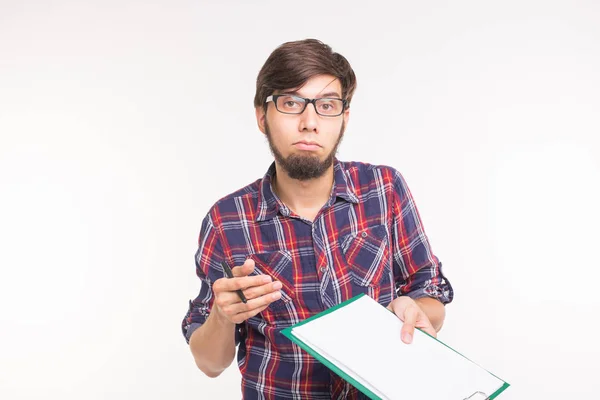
x=336 y=337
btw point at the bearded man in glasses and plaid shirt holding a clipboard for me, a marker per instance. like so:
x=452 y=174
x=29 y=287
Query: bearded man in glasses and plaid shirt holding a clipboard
x=312 y=233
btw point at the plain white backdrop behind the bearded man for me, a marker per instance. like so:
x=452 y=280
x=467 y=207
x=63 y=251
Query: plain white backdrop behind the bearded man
x=122 y=122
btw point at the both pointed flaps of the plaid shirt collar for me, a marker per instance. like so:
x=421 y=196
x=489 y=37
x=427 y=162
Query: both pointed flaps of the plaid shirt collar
x=269 y=204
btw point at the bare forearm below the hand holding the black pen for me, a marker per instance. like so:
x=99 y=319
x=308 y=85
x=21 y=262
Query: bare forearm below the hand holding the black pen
x=213 y=345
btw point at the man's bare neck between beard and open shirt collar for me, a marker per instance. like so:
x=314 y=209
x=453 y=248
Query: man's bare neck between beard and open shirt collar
x=303 y=196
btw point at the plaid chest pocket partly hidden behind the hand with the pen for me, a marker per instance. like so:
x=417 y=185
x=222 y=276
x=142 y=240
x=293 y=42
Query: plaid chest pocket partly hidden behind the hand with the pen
x=278 y=265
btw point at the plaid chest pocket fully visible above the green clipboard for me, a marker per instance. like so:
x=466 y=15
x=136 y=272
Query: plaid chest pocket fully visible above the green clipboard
x=367 y=255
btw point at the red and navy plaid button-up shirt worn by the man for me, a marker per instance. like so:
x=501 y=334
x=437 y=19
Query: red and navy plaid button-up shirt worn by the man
x=368 y=238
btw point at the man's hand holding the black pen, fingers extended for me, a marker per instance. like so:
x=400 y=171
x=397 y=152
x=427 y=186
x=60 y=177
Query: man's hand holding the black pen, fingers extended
x=260 y=291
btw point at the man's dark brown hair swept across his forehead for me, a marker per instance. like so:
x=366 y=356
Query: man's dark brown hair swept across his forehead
x=292 y=64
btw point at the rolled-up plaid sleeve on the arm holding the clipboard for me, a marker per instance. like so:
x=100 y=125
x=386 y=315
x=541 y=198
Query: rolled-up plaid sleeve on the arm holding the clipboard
x=417 y=271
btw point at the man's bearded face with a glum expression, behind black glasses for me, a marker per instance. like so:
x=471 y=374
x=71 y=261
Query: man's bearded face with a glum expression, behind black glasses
x=304 y=145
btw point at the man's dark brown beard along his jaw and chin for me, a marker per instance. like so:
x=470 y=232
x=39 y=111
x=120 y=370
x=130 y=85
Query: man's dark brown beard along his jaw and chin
x=304 y=167
